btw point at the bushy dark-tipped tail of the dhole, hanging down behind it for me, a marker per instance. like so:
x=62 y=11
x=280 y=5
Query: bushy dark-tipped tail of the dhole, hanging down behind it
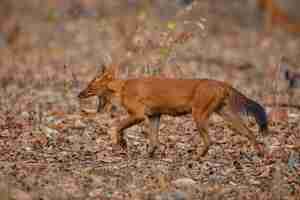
x=246 y=106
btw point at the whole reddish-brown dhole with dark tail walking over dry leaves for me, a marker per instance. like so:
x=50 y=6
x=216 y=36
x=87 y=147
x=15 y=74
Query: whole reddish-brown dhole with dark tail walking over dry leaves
x=151 y=97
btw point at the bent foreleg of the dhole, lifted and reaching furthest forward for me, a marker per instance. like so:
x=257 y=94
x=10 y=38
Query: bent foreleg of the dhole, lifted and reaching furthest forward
x=117 y=135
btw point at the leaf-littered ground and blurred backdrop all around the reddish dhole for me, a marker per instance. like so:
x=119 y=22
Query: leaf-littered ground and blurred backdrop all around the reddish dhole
x=51 y=49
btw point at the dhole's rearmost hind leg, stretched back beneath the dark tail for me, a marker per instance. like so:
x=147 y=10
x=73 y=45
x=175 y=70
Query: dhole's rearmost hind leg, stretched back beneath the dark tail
x=237 y=123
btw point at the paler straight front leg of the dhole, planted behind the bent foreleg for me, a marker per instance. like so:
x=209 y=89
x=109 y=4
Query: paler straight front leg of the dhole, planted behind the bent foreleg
x=153 y=134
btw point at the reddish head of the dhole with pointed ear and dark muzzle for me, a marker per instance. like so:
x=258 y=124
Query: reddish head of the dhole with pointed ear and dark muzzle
x=98 y=86
